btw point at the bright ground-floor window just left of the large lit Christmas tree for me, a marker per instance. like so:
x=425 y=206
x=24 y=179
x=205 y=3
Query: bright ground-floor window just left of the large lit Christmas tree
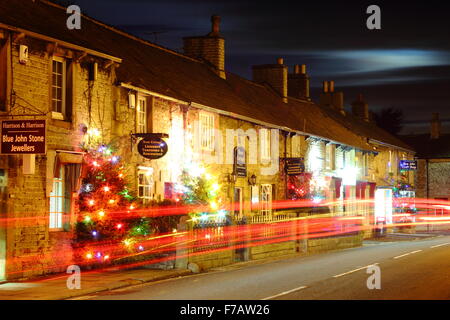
x=57 y=202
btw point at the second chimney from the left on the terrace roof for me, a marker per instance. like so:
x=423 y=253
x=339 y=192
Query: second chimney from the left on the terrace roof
x=275 y=75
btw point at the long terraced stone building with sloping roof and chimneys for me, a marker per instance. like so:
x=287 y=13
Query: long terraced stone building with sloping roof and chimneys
x=99 y=83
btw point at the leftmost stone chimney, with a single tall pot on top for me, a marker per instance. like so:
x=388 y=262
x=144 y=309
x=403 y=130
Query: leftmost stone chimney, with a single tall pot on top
x=210 y=47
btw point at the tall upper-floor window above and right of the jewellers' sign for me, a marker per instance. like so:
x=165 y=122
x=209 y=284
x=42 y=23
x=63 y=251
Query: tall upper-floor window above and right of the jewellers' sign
x=59 y=85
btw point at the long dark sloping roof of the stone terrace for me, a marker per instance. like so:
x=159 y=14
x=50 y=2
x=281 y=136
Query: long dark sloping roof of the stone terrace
x=169 y=73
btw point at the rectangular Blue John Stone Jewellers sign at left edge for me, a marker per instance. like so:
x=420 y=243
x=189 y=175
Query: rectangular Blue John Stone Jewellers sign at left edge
x=23 y=137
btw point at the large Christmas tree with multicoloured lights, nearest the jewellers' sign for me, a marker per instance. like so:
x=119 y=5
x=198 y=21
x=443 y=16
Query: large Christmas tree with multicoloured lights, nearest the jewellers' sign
x=106 y=224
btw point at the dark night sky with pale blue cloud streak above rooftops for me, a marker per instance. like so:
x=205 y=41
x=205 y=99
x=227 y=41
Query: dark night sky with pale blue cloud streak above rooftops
x=404 y=65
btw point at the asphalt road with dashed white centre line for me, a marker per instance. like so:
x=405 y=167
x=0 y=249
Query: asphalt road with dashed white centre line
x=417 y=269
